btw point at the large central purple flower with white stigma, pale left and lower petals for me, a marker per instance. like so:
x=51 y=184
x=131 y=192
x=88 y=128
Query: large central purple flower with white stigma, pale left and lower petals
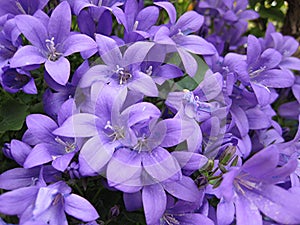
x=109 y=127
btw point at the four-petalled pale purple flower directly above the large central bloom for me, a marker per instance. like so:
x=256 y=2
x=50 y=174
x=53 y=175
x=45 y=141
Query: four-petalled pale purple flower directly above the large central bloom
x=121 y=70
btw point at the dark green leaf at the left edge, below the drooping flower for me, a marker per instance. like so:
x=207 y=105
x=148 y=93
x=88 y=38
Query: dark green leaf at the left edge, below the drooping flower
x=12 y=115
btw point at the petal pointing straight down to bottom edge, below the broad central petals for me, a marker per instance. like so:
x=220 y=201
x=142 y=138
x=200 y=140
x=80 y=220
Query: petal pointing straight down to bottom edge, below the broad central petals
x=154 y=202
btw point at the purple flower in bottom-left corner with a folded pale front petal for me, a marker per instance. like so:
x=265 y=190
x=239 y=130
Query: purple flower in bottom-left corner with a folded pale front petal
x=46 y=204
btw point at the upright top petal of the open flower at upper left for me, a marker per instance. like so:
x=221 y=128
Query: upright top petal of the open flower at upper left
x=60 y=22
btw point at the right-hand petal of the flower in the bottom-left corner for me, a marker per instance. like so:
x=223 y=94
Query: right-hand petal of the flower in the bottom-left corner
x=80 y=208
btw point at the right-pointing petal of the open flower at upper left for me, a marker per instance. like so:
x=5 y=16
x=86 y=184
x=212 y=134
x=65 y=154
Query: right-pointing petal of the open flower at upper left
x=78 y=43
